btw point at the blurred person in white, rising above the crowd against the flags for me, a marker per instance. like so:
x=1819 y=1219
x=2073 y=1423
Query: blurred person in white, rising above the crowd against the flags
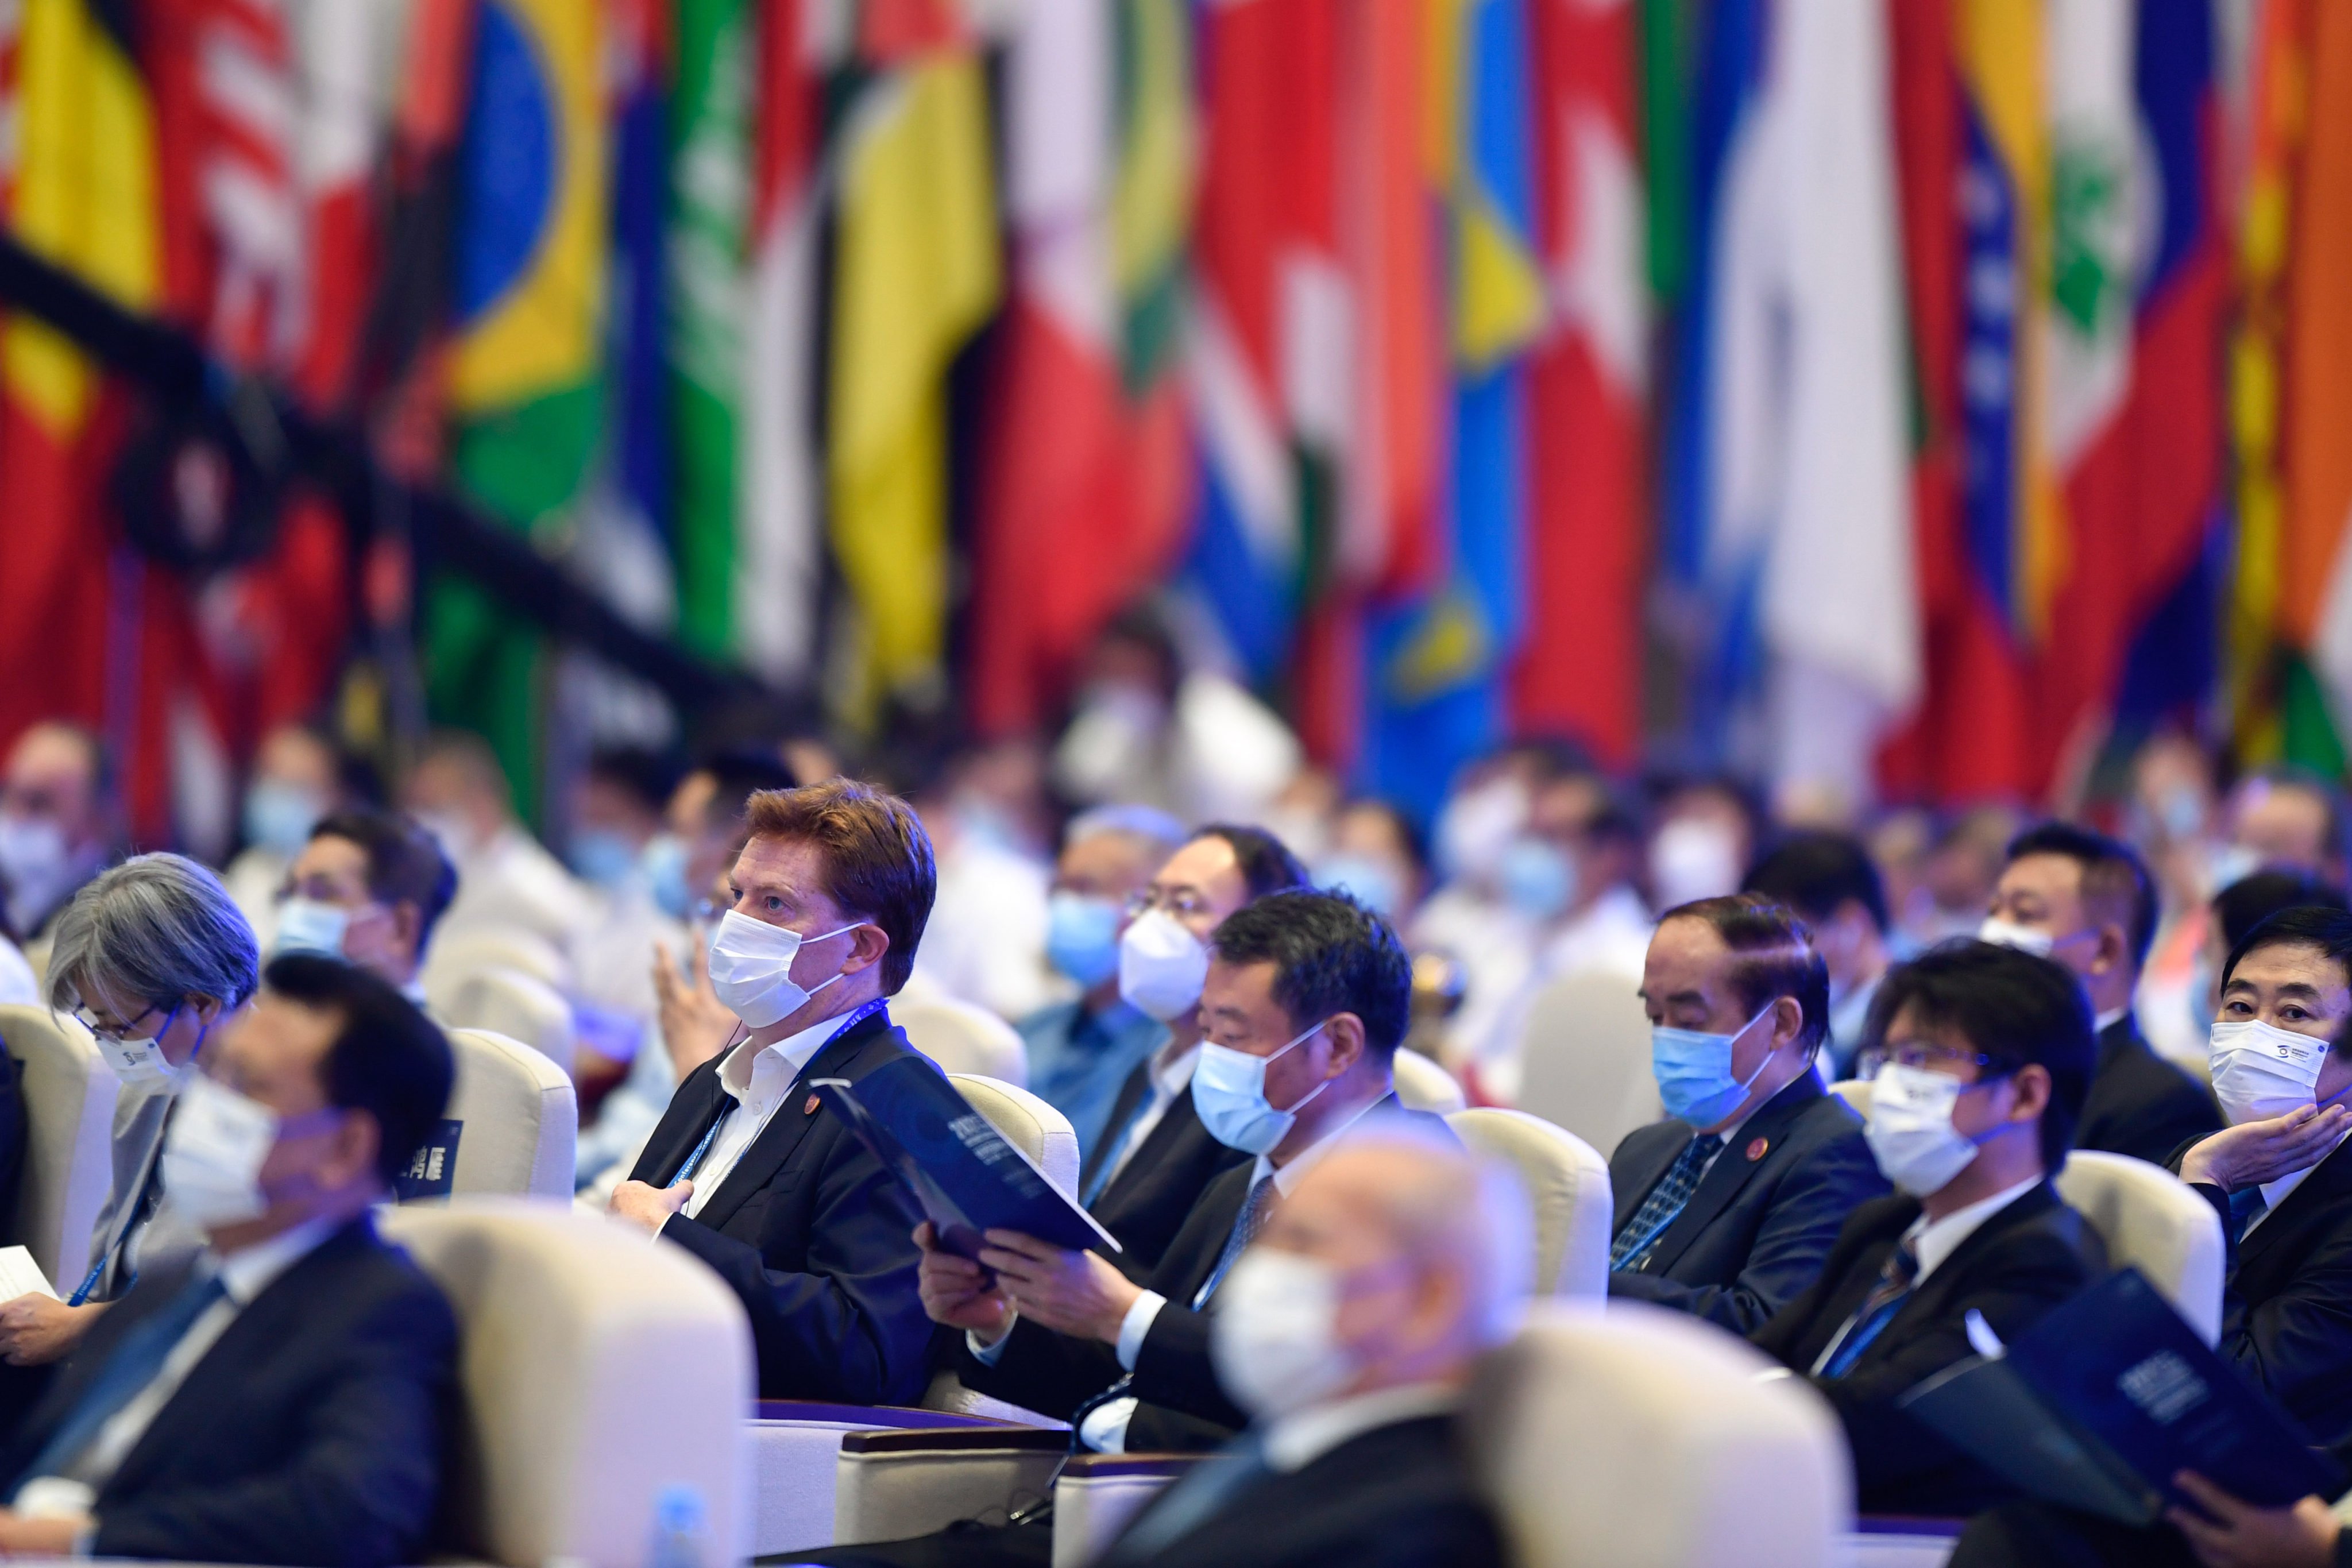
x=1151 y=735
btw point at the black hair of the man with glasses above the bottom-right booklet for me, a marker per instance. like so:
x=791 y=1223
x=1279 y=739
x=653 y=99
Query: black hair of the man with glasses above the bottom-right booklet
x=2010 y=1005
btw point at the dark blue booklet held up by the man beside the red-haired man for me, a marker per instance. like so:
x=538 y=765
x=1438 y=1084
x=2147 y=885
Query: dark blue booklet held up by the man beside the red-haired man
x=965 y=1174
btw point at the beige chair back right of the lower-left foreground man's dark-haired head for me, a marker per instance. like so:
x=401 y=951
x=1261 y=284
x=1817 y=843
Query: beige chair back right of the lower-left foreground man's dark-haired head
x=519 y=1120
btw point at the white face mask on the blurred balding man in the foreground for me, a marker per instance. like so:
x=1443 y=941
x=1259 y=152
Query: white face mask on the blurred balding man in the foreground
x=1274 y=1334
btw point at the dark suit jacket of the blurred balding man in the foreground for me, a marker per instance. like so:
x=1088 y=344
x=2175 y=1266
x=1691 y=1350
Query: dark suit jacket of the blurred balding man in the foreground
x=1391 y=1499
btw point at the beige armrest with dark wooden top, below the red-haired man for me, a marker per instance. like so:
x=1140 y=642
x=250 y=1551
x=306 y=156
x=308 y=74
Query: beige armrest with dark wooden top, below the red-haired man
x=914 y=1482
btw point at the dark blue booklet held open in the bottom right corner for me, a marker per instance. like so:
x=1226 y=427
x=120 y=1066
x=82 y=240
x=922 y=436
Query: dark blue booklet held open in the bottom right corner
x=2102 y=1402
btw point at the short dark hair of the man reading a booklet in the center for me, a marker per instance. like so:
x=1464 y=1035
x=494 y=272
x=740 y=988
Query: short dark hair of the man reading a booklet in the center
x=1330 y=956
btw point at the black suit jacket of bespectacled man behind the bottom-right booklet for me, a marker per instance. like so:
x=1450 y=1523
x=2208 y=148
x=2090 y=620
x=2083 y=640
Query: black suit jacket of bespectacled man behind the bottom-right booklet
x=2014 y=1268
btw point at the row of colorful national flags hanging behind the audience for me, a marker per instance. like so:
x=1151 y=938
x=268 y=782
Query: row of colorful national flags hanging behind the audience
x=1876 y=396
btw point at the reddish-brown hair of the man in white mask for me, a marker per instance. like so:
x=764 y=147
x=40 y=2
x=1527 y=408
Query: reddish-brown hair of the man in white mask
x=878 y=859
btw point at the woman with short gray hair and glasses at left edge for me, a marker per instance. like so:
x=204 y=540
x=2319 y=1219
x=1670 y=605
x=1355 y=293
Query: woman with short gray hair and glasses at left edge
x=152 y=958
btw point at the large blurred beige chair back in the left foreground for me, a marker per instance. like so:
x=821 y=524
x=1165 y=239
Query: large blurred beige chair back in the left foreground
x=596 y=1374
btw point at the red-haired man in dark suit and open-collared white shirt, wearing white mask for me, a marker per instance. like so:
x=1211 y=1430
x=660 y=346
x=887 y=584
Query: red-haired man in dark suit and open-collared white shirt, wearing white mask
x=747 y=1172
